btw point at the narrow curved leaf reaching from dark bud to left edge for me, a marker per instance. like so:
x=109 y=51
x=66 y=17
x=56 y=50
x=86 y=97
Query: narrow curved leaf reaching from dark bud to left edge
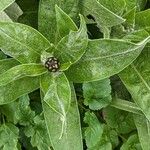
x=20 y=71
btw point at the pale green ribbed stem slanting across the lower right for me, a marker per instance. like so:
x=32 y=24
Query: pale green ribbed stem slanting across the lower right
x=126 y=105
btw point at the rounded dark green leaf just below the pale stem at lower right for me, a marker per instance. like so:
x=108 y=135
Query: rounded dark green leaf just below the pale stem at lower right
x=119 y=120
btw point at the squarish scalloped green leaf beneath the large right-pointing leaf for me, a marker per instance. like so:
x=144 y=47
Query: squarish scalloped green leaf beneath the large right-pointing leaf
x=97 y=94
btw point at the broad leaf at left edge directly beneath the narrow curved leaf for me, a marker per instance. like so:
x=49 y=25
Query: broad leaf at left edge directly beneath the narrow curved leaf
x=17 y=88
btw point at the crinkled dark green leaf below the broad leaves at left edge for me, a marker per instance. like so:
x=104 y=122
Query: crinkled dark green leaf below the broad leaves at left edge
x=19 y=111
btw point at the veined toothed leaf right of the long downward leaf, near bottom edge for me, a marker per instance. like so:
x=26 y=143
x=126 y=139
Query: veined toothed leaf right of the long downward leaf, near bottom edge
x=94 y=131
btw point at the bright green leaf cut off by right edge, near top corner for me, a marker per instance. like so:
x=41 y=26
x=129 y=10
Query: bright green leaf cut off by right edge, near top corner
x=142 y=19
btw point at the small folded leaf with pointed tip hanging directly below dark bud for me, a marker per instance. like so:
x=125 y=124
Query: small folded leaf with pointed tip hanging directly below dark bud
x=58 y=95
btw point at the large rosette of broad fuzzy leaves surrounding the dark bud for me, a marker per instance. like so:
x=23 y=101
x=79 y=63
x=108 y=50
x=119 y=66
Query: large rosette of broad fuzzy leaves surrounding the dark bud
x=81 y=60
